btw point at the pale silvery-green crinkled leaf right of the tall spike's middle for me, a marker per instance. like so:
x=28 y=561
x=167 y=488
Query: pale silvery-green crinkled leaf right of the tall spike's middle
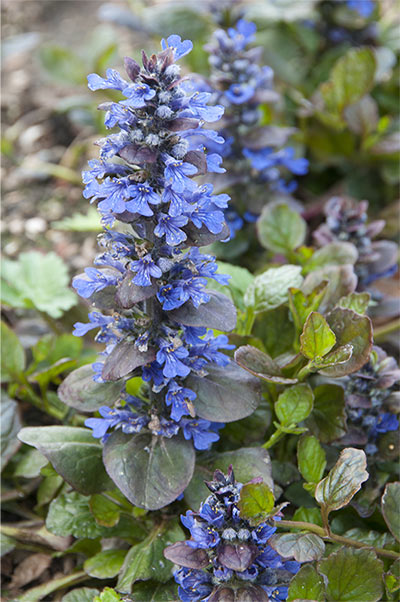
x=271 y=288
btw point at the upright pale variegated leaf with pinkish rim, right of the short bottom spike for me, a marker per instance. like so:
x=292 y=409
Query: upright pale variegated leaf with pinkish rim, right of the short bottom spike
x=343 y=481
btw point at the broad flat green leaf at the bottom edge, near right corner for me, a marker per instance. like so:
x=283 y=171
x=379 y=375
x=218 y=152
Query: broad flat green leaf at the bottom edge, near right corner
x=352 y=575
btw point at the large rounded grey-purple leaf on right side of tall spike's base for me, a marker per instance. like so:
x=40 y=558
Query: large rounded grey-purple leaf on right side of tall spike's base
x=226 y=394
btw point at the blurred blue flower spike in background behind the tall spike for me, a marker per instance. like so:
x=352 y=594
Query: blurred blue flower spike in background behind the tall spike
x=258 y=162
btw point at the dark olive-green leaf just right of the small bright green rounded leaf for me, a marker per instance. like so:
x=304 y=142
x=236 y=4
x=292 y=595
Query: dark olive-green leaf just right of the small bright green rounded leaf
x=327 y=421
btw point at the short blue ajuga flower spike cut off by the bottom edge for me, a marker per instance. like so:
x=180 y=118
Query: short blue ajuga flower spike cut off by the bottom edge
x=227 y=557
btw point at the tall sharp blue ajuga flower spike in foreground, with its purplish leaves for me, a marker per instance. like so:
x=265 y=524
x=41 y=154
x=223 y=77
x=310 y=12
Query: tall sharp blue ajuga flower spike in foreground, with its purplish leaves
x=150 y=281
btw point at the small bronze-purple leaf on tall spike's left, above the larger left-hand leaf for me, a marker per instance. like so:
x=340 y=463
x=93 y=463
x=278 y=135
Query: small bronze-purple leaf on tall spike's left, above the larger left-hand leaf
x=123 y=360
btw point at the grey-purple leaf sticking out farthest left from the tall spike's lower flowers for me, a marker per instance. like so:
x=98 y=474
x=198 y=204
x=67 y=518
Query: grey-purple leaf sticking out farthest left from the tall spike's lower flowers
x=81 y=392
